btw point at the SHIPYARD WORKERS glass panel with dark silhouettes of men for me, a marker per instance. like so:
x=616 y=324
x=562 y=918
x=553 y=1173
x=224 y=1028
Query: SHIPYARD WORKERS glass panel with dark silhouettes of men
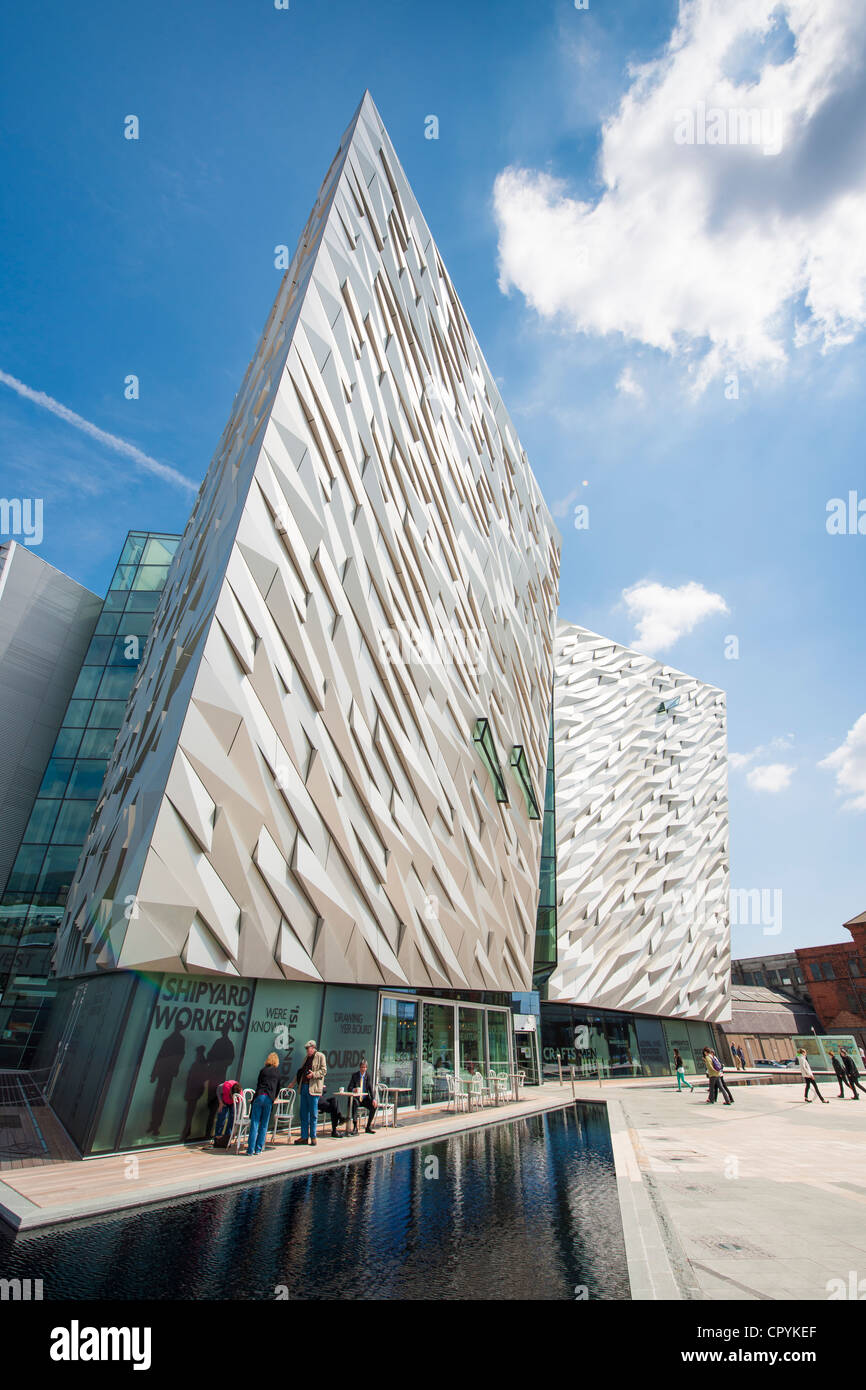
x=195 y=1042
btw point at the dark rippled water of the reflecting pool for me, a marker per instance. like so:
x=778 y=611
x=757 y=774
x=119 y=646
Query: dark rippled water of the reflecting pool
x=519 y=1210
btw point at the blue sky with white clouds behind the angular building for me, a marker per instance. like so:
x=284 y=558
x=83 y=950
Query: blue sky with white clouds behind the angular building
x=156 y=258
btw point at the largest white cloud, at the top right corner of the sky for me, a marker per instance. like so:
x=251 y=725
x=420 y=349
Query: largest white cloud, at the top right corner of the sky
x=711 y=251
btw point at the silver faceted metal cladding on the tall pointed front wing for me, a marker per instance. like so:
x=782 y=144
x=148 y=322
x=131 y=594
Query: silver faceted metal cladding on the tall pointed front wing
x=369 y=569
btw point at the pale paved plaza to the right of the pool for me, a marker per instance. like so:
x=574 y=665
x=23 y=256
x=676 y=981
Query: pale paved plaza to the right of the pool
x=761 y=1200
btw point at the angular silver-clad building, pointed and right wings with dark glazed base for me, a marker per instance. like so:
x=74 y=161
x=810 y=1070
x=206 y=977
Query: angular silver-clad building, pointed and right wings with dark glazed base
x=357 y=794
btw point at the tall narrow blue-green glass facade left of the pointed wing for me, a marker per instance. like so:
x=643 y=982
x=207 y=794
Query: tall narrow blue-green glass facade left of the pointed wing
x=37 y=890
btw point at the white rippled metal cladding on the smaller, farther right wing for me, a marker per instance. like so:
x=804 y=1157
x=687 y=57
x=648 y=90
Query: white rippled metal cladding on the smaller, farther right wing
x=642 y=833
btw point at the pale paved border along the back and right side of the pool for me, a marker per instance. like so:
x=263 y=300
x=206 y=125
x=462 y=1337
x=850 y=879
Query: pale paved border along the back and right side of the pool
x=35 y=1199
